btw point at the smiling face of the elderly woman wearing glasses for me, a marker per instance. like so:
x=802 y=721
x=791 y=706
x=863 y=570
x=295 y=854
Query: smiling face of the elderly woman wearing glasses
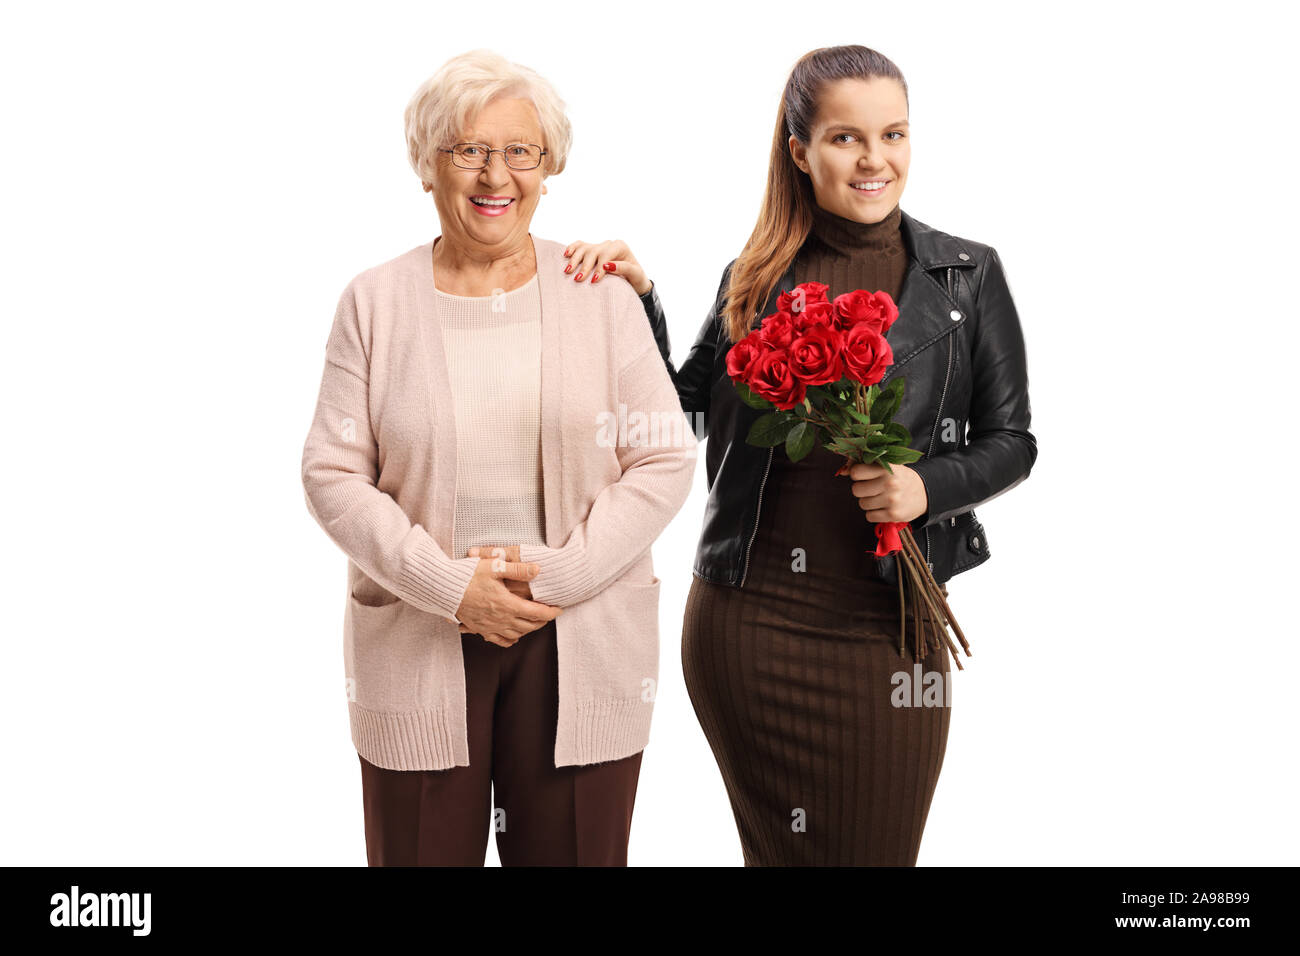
x=463 y=197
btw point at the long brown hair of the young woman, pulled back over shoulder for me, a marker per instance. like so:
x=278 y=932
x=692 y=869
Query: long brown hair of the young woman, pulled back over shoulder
x=786 y=217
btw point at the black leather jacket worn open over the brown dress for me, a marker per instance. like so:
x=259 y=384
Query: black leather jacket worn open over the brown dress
x=967 y=404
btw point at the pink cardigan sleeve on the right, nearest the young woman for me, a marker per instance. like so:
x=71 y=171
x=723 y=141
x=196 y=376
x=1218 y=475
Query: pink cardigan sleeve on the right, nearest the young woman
x=630 y=514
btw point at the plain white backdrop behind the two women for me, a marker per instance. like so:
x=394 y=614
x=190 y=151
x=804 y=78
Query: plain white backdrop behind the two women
x=189 y=188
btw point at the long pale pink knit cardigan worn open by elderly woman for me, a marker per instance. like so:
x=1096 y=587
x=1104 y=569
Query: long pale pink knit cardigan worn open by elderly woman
x=380 y=478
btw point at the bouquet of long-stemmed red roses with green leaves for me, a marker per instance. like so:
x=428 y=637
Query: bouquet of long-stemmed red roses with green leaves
x=818 y=366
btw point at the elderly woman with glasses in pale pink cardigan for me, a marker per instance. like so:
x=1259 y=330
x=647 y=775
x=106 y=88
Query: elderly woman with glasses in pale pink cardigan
x=501 y=630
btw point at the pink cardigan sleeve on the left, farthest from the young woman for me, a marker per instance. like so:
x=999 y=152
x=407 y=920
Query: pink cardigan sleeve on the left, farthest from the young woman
x=340 y=482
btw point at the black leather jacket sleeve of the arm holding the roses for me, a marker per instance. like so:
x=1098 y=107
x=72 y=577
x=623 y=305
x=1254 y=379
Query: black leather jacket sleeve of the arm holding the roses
x=1002 y=449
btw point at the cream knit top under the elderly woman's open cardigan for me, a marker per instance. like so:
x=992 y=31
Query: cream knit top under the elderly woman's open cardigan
x=493 y=347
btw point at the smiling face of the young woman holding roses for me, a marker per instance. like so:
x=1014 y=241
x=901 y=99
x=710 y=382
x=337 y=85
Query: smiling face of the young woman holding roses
x=860 y=140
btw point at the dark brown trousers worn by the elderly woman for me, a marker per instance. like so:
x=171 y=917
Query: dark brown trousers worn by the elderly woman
x=543 y=815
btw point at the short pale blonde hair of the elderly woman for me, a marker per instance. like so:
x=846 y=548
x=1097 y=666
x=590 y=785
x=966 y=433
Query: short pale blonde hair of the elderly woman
x=447 y=102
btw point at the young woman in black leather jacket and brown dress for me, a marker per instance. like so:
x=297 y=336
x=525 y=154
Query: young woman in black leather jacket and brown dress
x=792 y=626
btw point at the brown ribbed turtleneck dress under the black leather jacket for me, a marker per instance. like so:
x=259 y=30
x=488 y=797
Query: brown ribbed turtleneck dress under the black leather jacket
x=794 y=676
